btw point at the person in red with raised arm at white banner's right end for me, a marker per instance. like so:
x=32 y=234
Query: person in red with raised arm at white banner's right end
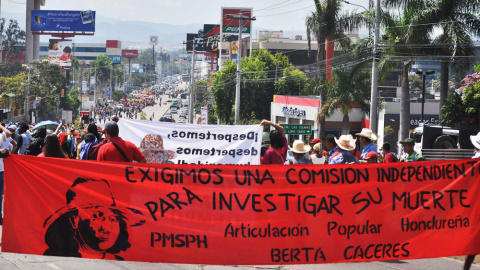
x=277 y=153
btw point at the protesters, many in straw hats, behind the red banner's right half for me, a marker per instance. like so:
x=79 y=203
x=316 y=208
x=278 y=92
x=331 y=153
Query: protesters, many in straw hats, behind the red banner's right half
x=341 y=150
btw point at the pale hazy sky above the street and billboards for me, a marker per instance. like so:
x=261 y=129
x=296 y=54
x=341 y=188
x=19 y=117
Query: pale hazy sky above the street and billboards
x=286 y=15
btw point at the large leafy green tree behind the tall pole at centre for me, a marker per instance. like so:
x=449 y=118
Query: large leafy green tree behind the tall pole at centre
x=257 y=87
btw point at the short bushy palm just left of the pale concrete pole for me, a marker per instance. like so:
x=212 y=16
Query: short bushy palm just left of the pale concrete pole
x=350 y=88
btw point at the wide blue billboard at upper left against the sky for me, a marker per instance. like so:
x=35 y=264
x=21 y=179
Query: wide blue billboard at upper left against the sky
x=63 y=20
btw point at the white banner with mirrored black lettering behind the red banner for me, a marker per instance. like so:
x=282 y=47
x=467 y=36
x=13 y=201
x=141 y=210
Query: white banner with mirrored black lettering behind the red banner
x=194 y=144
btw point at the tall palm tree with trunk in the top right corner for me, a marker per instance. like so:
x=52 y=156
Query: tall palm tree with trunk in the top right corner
x=458 y=21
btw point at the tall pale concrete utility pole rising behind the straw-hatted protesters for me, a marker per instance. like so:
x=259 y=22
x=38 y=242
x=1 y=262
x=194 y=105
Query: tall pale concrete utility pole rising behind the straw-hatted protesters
x=374 y=90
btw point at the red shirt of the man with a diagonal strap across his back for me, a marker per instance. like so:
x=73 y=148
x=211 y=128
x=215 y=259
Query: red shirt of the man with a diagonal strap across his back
x=108 y=152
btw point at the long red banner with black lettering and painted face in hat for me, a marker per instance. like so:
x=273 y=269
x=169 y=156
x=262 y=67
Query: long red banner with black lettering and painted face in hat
x=219 y=214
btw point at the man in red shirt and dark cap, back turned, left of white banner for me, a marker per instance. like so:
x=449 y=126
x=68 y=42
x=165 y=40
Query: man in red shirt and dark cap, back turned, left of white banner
x=117 y=149
